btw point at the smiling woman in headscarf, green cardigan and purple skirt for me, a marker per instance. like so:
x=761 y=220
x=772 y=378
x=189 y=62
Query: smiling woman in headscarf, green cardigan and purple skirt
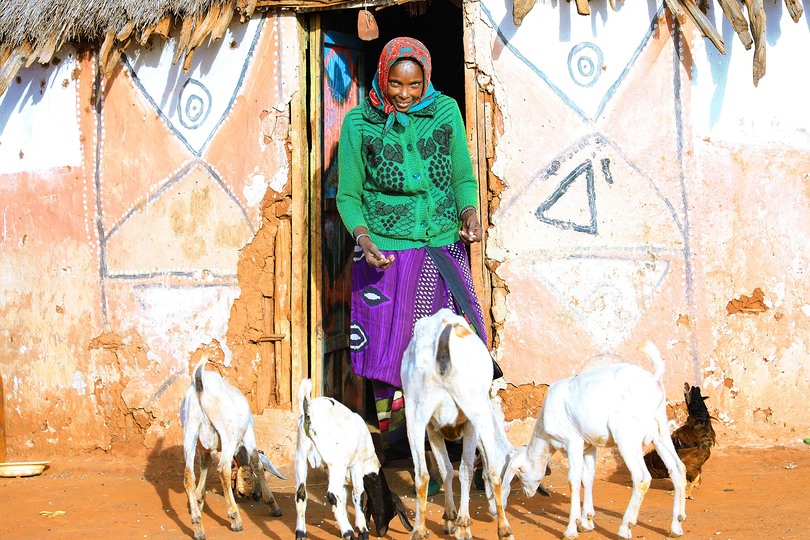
x=408 y=195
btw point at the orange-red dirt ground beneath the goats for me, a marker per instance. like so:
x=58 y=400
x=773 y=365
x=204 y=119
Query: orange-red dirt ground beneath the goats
x=746 y=493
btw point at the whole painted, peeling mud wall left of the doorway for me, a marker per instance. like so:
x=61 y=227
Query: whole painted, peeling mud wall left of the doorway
x=127 y=206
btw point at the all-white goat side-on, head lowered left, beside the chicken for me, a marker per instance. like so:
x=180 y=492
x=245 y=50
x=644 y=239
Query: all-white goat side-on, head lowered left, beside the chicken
x=619 y=405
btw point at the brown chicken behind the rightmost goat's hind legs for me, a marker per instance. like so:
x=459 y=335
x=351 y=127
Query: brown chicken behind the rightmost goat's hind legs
x=693 y=441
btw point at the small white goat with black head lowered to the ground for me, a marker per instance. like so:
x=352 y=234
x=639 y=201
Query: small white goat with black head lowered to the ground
x=333 y=437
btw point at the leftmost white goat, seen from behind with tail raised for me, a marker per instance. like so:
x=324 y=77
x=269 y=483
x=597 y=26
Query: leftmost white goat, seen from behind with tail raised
x=216 y=420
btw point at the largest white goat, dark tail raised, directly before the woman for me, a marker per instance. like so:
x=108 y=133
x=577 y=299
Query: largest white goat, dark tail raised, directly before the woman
x=446 y=376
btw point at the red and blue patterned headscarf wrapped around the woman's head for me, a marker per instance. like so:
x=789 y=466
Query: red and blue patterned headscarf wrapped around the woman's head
x=397 y=49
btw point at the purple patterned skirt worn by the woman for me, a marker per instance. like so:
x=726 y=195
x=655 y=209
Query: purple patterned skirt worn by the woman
x=386 y=304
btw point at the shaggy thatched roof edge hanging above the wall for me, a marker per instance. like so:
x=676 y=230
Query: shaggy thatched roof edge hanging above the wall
x=34 y=30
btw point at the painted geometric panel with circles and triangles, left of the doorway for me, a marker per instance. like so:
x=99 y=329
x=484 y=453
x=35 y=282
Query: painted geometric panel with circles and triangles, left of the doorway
x=175 y=229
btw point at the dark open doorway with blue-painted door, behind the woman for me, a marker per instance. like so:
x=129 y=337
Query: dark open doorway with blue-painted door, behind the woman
x=439 y=25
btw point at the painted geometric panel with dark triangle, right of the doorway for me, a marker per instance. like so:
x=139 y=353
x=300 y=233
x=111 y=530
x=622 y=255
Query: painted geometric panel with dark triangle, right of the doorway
x=603 y=228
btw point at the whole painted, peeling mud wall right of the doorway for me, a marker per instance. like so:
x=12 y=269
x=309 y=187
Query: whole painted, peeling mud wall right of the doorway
x=643 y=188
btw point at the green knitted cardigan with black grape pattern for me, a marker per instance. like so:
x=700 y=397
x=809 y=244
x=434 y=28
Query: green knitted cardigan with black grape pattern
x=406 y=186
